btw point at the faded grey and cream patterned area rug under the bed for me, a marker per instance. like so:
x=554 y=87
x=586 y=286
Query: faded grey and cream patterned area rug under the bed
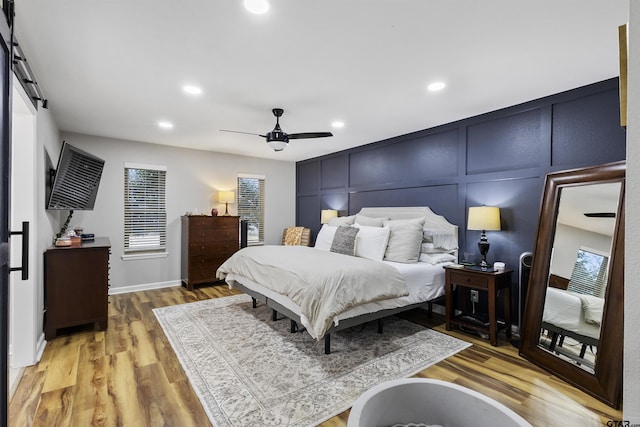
x=248 y=370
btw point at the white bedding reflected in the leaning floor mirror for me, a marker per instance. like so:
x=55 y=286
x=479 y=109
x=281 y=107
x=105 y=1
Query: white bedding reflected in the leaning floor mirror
x=566 y=310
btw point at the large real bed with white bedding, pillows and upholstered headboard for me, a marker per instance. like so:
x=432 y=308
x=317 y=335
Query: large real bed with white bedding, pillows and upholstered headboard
x=381 y=277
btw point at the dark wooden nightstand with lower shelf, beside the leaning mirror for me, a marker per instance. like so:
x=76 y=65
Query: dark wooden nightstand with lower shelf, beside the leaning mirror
x=490 y=281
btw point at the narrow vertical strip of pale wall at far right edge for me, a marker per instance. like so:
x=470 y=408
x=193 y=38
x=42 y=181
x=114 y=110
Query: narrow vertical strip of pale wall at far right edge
x=631 y=399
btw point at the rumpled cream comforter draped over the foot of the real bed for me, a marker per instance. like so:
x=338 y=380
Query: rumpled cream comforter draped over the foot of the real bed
x=323 y=284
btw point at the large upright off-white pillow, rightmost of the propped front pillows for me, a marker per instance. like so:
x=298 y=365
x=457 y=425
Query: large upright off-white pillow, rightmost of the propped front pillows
x=405 y=240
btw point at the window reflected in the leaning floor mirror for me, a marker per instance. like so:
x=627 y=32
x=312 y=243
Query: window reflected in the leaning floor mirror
x=589 y=274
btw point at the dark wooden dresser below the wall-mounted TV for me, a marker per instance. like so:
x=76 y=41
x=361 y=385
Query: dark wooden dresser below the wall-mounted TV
x=76 y=282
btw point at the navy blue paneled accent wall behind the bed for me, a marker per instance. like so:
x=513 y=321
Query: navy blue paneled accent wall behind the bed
x=498 y=159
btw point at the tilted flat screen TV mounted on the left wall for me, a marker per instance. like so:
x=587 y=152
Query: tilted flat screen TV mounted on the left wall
x=76 y=180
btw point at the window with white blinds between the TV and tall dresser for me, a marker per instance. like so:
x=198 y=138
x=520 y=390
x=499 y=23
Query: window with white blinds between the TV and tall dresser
x=145 y=215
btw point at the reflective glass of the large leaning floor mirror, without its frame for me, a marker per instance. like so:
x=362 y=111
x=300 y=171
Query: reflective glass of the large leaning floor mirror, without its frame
x=578 y=272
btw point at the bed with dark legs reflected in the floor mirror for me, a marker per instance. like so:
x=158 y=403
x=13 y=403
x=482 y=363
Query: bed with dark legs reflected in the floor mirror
x=574 y=315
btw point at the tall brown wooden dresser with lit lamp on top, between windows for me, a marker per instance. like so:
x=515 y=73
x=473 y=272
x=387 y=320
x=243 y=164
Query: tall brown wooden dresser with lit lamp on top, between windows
x=207 y=242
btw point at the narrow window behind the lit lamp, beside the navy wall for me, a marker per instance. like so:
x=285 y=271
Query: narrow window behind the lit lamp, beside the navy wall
x=251 y=206
